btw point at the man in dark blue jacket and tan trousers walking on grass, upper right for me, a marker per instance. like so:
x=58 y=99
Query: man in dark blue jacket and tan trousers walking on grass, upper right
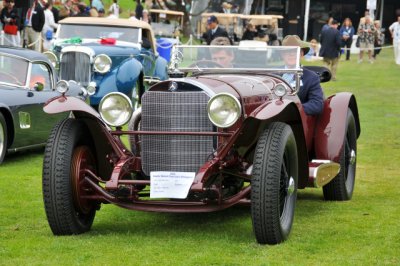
x=330 y=47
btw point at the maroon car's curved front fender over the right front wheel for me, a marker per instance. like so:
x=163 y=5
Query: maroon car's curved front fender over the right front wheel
x=285 y=111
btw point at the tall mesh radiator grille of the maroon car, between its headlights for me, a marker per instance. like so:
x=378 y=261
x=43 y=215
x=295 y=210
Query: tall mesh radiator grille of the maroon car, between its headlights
x=175 y=111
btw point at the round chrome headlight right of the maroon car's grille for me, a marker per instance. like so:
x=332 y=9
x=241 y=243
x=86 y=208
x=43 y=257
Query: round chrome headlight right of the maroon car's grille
x=223 y=110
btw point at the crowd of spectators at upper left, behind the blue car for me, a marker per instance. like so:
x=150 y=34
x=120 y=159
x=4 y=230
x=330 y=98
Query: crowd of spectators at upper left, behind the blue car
x=35 y=28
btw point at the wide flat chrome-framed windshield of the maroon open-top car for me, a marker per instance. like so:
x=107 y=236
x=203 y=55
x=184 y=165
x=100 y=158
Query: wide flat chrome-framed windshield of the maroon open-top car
x=234 y=58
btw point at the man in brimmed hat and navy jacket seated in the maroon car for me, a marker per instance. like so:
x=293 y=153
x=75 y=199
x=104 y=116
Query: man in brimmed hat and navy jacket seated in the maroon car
x=310 y=92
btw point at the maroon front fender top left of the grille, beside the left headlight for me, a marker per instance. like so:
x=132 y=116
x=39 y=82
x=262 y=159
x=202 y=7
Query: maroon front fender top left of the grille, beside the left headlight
x=66 y=104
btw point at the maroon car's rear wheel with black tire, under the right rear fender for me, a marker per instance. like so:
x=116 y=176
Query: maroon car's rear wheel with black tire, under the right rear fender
x=342 y=186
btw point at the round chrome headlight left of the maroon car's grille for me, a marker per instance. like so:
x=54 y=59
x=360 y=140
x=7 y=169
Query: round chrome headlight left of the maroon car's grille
x=115 y=109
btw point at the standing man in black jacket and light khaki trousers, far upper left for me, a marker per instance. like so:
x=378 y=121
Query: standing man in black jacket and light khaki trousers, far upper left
x=34 y=25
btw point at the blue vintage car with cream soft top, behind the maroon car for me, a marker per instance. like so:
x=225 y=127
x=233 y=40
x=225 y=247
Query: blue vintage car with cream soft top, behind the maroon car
x=110 y=55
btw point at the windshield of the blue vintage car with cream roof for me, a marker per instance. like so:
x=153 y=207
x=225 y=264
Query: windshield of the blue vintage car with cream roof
x=67 y=31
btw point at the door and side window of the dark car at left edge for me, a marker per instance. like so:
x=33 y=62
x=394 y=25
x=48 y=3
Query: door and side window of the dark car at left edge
x=32 y=125
